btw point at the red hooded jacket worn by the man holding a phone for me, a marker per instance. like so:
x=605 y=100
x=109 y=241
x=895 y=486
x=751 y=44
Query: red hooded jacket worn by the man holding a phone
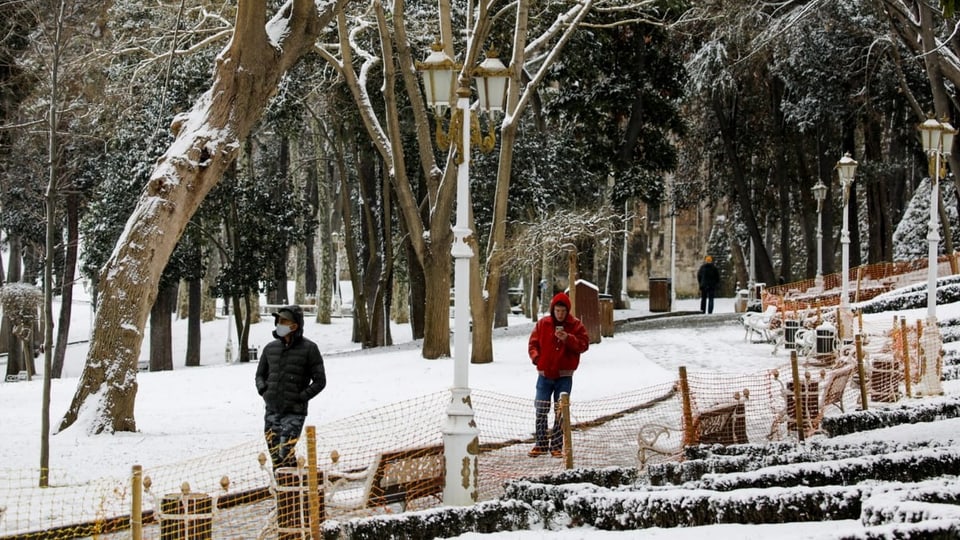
x=554 y=357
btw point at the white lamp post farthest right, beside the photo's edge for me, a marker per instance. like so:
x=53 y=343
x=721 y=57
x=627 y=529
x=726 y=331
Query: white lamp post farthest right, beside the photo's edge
x=937 y=143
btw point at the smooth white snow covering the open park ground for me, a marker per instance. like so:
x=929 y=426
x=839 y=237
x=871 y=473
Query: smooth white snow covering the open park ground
x=190 y=412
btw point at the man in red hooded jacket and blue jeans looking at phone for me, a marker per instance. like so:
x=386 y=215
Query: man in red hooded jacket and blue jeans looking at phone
x=555 y=346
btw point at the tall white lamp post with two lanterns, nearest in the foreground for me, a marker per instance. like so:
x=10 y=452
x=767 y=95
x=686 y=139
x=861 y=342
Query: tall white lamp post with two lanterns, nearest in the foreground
x=440 y=72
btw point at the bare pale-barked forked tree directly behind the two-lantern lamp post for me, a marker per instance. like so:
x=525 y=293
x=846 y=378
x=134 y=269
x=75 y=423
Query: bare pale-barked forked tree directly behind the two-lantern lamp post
x=534 y=51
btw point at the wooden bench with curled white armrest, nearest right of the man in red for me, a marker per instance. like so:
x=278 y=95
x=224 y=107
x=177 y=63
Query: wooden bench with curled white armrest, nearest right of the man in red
x=722 y=423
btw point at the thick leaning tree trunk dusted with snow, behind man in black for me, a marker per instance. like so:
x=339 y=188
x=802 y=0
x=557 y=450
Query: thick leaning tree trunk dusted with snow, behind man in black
x=247 y=74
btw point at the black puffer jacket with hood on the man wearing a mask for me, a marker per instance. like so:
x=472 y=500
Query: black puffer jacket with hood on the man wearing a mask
x=290 y=373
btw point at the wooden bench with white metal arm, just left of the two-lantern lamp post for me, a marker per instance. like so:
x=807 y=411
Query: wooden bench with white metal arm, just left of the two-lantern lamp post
x=395 y=477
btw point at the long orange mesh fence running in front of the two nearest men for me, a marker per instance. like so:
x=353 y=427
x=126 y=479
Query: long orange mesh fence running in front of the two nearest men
x=390 y=459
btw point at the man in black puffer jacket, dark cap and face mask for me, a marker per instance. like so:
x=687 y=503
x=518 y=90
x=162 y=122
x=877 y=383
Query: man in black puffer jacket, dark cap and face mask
x=289 y=374
